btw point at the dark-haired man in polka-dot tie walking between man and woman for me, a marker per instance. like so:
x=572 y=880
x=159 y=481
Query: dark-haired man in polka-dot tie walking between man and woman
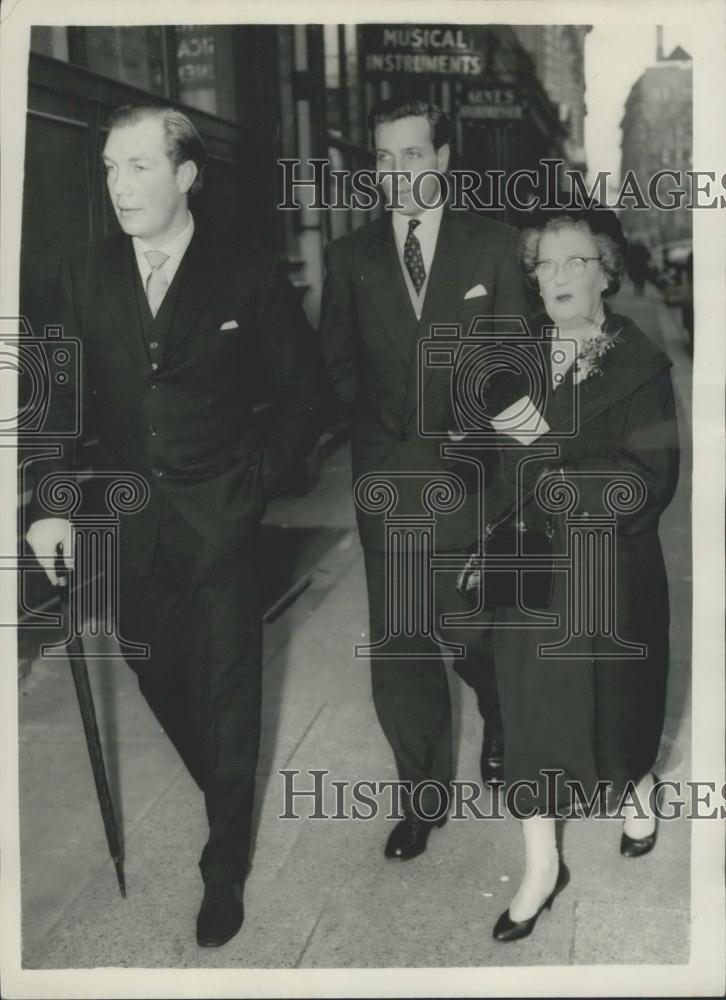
x=386 y=284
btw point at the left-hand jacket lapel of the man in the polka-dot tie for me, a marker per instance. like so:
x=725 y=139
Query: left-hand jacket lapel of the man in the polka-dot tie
x=380 y=272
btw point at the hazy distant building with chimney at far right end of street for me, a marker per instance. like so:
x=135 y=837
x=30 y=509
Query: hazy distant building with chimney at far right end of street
x=657 y=130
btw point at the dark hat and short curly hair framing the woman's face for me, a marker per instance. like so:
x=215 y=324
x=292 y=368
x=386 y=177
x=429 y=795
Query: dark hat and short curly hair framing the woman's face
x=601 y=224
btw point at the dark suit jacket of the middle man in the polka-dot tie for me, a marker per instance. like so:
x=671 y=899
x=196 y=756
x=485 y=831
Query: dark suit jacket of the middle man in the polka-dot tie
x=370 y=340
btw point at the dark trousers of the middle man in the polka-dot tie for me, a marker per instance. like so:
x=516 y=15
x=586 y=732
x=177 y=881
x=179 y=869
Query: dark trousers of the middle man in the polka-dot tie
x=411 y=693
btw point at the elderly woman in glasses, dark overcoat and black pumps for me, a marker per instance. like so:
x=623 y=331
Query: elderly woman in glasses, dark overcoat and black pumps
x=597 y=717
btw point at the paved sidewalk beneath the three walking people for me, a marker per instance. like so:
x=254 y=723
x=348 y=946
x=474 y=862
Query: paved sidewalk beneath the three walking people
x=320 y=893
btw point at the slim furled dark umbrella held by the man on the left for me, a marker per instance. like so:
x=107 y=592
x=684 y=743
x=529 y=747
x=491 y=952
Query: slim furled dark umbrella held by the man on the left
x=79 y=669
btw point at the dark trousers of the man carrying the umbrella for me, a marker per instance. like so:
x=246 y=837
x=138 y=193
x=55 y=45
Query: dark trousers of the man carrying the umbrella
x=199 y=611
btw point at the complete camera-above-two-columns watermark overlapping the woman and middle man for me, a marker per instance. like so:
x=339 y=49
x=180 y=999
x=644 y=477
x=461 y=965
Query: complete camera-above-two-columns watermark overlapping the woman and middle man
x=485 y=390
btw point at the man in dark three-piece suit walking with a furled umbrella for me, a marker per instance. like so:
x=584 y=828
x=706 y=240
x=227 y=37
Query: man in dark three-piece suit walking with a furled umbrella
x=178 y=332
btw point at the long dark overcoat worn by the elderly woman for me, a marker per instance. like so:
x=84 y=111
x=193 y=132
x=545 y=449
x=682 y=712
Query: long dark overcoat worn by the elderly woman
x=597 y=715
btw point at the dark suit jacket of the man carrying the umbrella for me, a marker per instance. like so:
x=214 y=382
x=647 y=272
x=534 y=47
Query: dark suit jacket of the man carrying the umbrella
x=229 y=323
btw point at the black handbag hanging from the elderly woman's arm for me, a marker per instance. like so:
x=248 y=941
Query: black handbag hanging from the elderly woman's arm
x=516 y=542
